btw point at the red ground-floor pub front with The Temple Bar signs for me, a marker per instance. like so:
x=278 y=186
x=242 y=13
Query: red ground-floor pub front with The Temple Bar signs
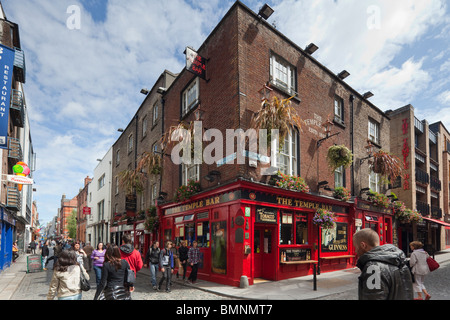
x=262 y=232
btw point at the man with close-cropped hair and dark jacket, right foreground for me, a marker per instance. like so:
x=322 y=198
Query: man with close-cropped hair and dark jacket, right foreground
x=384 y=273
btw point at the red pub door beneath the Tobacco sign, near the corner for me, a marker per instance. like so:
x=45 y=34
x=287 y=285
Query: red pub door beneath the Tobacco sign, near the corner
x=264 y=252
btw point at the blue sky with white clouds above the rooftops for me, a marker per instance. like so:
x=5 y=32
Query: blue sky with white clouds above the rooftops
x=87 y=60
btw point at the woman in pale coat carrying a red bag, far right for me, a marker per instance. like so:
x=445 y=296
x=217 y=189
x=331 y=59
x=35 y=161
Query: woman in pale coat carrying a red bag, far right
x=419 y=268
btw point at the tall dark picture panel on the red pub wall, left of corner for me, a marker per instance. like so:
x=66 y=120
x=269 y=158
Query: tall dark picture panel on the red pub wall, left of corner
x=219 y=247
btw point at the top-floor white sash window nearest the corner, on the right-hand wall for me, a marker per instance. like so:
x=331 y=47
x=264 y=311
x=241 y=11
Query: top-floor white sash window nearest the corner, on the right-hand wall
x=282 y=74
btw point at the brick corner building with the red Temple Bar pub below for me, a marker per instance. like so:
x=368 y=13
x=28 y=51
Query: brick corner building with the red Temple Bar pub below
x=243 y=224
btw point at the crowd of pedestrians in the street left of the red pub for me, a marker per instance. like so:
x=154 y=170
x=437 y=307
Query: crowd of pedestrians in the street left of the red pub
x=114 y=267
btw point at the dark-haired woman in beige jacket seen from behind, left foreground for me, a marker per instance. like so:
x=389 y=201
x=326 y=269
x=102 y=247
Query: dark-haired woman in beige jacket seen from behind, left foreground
x=65 y=283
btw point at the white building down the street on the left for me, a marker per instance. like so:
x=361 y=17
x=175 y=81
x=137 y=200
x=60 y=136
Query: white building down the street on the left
x=99 y=200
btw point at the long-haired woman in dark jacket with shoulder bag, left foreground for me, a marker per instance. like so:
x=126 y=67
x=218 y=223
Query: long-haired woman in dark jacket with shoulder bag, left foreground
x=114 y=285
